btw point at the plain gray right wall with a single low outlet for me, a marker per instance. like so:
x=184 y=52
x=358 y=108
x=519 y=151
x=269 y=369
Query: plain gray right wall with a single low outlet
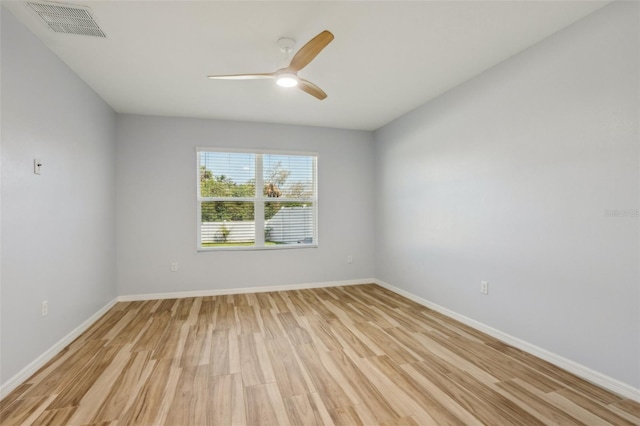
x=507 y=179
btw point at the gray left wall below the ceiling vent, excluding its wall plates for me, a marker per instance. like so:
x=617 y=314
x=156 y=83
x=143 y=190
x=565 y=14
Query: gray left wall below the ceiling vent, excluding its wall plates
x=58 y=229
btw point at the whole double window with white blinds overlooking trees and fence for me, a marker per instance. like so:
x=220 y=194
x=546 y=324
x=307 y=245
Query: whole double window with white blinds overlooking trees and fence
x=256 y=200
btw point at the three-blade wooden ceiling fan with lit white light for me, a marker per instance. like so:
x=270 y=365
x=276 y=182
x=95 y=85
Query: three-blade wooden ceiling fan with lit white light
x=288 y=76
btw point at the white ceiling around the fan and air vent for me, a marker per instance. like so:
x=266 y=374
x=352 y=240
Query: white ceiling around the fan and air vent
x=387 y=57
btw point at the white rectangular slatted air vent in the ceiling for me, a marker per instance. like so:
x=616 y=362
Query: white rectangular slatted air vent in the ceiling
x=69 y=19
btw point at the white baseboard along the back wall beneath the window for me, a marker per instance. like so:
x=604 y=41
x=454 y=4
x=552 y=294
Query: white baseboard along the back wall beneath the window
x=222 y=292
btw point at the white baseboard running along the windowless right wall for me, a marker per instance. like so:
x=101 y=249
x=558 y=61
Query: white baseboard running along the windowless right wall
x=579 y=370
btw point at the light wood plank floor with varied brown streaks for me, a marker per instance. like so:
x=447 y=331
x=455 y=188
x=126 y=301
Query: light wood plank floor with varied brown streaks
x=344 y=355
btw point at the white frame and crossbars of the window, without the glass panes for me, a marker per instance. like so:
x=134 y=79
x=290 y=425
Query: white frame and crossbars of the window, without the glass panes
x=259 y=200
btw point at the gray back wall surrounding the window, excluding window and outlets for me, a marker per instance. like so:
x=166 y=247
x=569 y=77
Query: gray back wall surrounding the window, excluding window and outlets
x=156 y=176
